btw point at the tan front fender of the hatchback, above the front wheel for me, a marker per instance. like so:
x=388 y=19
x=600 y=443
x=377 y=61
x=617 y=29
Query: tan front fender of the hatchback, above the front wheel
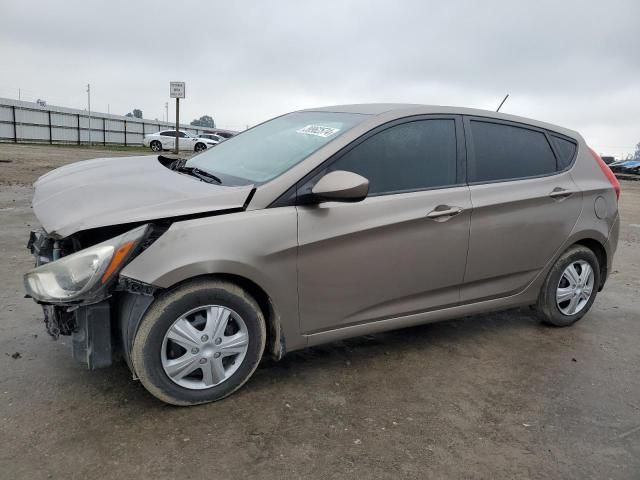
x=260 y=246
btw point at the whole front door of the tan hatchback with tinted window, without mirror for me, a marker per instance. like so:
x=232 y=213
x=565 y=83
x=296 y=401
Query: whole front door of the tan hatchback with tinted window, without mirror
x=403 y=249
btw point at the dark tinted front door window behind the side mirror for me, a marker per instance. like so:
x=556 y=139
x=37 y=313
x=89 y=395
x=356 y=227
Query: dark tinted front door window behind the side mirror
x=410 y=156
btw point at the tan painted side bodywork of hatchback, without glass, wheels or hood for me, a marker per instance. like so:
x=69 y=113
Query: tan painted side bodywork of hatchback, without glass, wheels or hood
x=380 y=264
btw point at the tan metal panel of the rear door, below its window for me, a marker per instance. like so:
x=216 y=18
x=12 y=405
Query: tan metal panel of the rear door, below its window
x=515 y=229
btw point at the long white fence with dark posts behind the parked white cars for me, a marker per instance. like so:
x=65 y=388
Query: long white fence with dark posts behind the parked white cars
x=31 y=123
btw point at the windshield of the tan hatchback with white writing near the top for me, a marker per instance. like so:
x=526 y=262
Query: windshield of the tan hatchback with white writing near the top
x=268 y=150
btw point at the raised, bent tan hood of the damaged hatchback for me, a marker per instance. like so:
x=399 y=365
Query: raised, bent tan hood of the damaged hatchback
x=112 y=191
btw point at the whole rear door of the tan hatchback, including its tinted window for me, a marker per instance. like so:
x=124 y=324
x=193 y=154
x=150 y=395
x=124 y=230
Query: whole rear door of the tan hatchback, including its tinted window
x=525 y=205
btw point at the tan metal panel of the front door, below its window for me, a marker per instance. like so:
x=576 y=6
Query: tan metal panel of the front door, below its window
x=381 y=257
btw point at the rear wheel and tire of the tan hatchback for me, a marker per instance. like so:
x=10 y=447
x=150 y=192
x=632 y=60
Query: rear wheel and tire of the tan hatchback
x=570 y=288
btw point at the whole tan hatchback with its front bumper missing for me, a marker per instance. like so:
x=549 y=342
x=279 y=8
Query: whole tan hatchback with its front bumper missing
x=313 y=227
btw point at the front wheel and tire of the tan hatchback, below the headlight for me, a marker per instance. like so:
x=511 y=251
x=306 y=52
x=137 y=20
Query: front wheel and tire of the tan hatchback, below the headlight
x=199 y=342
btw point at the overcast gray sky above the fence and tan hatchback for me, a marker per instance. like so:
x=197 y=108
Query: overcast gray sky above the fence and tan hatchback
x=574 y=63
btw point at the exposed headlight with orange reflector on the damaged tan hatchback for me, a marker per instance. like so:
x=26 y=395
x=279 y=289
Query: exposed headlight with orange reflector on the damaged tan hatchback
x=81 y=275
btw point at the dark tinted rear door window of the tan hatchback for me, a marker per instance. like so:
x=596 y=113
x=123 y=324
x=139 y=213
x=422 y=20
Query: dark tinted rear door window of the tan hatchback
x=505 y=152
